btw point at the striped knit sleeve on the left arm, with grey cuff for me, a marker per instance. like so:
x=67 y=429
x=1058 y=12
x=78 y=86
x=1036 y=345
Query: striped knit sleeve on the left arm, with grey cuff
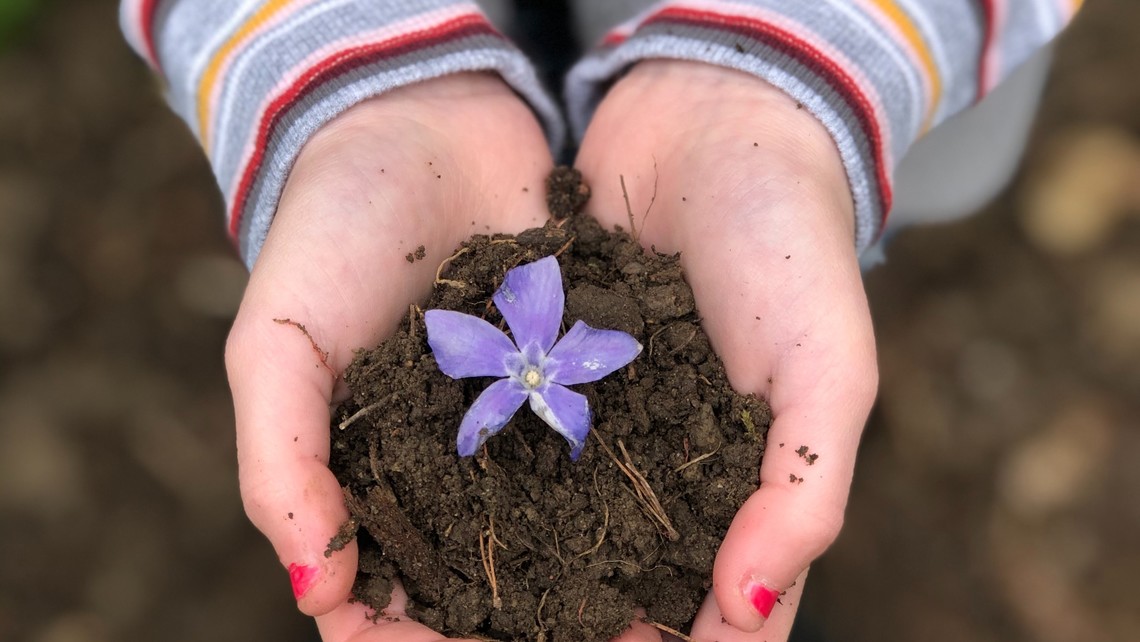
x=256 y=79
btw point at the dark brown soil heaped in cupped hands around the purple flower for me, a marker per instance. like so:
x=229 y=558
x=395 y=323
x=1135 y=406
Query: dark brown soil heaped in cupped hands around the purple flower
x=519 y=542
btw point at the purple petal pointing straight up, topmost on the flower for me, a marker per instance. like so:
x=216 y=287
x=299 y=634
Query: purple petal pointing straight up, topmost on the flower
x=531 y=300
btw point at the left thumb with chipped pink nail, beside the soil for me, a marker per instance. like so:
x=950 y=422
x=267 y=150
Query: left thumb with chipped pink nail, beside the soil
x=282 y=391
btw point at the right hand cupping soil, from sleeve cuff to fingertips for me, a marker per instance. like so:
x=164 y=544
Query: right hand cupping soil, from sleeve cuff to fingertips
x=752 y=192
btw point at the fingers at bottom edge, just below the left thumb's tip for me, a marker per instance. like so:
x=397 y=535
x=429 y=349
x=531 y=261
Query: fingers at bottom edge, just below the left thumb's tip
x=357 y=623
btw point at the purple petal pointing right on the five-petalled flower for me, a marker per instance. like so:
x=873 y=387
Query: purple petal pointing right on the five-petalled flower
x=587 y=354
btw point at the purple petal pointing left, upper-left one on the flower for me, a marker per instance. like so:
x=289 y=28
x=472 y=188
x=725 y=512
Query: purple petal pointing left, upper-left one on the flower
x=467 y=346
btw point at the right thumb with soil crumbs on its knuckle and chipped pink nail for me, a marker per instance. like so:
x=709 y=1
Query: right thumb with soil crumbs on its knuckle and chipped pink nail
x=820 y=400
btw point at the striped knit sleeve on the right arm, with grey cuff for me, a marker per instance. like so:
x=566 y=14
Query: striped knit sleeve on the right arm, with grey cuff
x=877 y=74
